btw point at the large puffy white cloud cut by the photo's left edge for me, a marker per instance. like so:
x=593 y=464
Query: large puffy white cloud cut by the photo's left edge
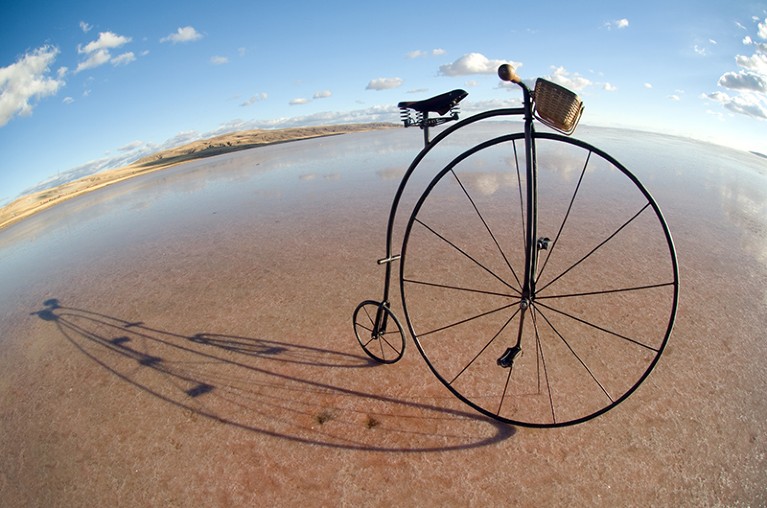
x=26 y=80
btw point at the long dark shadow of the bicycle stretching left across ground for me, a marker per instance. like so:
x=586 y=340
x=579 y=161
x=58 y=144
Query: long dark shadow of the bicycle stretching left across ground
x=275 y=388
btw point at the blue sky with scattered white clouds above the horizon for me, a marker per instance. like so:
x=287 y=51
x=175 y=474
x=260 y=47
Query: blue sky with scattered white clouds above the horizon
x=88 y=85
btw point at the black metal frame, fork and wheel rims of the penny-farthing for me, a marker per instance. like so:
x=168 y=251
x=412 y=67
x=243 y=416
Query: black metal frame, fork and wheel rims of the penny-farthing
x=532 y=246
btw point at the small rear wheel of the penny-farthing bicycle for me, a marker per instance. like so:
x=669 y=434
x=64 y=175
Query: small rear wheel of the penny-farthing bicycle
x=379 y=332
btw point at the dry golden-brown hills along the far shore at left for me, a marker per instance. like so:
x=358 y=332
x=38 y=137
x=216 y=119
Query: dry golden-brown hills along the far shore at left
x=31 y=204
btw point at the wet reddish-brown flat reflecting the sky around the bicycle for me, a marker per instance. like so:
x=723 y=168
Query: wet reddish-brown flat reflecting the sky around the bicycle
x=185 y=338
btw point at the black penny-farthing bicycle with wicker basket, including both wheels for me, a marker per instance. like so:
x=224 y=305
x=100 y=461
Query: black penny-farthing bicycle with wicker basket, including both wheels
x=538 y=277
